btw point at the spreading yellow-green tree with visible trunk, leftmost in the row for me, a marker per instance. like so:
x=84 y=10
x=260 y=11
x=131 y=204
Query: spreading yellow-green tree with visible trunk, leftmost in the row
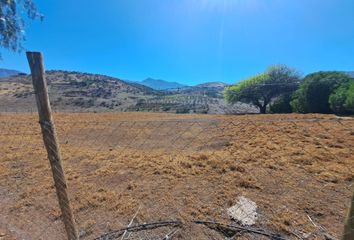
x=261 y=89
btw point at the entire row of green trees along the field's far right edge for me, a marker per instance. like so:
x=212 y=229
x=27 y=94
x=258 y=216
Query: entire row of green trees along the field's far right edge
x=281 y=89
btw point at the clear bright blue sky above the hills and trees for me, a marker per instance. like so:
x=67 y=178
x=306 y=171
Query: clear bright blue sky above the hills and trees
x=190 y=41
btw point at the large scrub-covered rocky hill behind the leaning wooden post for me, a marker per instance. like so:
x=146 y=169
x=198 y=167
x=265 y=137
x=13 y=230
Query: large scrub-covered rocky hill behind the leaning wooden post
x=73 y=90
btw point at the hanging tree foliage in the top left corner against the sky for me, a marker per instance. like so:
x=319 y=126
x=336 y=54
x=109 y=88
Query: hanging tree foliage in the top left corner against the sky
x=12 y=24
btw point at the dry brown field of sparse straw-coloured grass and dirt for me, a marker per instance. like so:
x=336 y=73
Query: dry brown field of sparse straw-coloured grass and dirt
x=298 y=169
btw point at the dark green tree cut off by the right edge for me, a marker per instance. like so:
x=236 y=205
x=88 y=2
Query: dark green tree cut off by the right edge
x=341 y=100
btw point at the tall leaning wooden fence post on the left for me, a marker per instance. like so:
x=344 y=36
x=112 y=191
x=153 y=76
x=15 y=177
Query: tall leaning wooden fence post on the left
x=35 y=60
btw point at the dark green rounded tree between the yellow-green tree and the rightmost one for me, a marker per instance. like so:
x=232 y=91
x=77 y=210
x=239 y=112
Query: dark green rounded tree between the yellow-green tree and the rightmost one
x=315 y=89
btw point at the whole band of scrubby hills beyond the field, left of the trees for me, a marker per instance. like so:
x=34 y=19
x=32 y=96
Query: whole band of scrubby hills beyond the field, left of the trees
x=76 y=91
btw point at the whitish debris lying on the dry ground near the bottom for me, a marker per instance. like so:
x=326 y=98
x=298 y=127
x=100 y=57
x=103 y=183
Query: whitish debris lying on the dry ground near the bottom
x=245 y=211
